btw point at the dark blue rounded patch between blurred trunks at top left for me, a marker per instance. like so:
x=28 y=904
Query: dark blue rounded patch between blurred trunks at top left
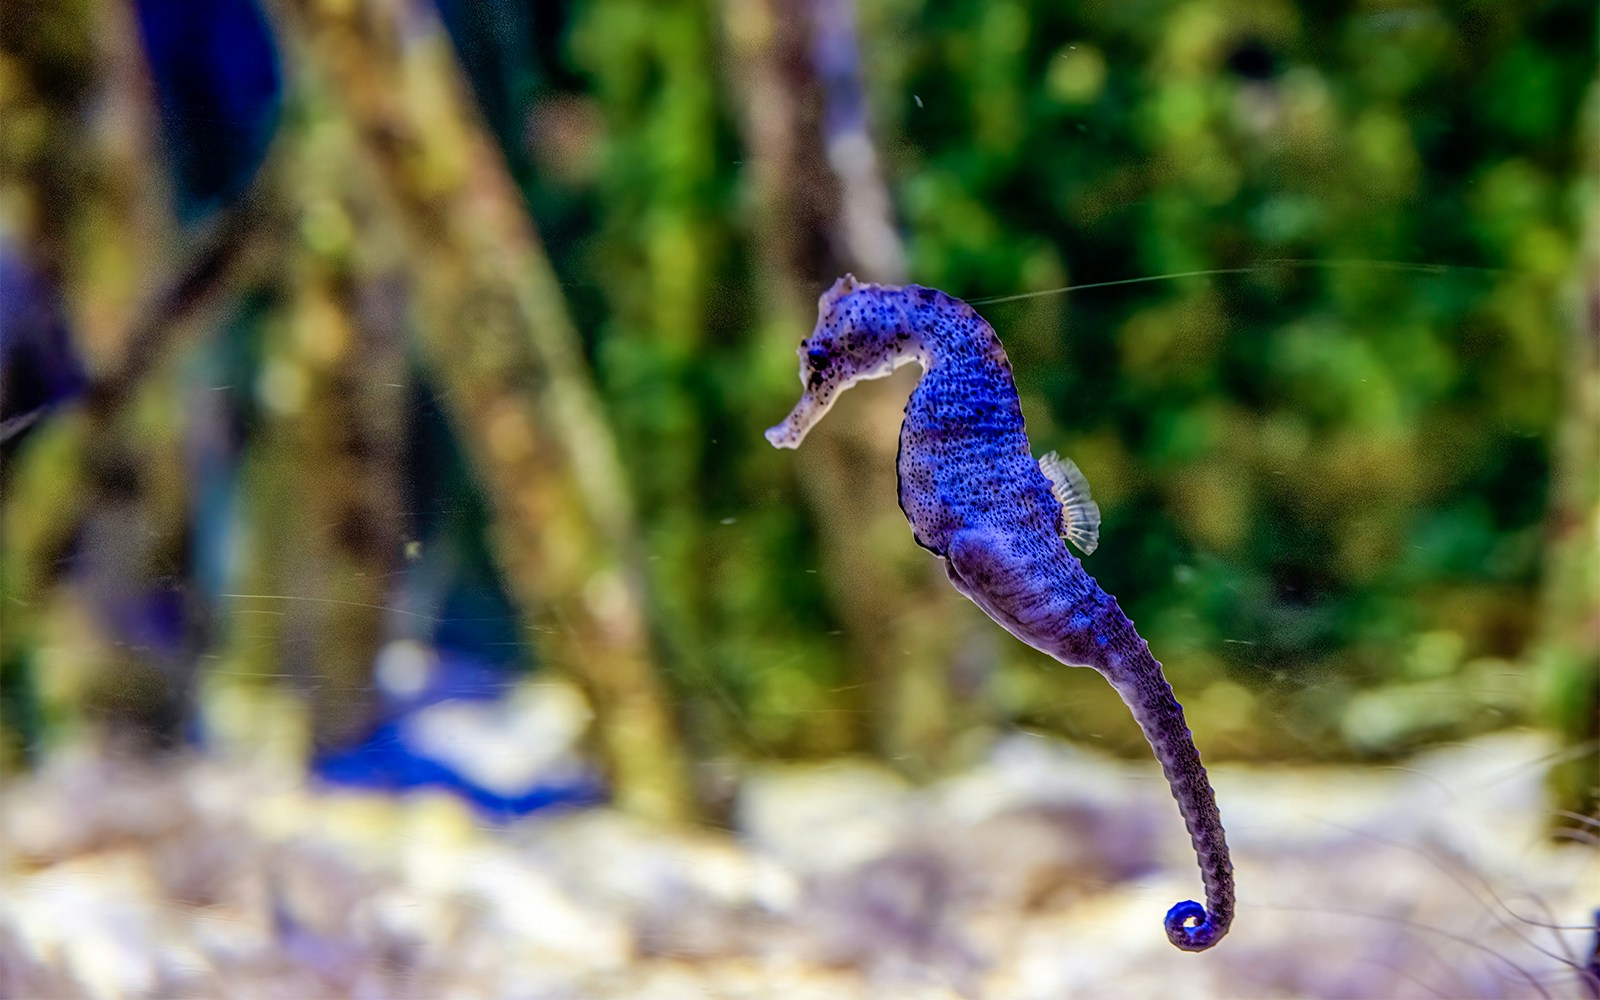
x=220 y=92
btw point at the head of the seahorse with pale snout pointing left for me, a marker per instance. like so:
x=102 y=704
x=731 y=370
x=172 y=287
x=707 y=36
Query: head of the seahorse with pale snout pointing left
x=862 y=334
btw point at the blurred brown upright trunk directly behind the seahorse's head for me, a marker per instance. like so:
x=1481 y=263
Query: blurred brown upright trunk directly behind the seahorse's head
x=823 y=209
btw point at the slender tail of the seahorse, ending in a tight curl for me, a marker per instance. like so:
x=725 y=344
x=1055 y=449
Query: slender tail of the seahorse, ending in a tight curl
x=1140 y=681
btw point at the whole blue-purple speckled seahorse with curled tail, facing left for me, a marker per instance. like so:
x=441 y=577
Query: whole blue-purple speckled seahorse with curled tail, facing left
x=999 y=519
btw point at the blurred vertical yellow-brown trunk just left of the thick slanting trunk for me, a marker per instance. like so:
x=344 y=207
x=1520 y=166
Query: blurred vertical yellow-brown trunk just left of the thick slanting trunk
x=343 y=428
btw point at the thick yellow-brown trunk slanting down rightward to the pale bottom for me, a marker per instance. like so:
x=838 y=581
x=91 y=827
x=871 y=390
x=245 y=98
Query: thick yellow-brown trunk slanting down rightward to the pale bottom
x=495 y=327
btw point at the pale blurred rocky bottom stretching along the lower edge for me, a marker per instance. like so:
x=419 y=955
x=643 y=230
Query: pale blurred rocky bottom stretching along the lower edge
x=1044 y=873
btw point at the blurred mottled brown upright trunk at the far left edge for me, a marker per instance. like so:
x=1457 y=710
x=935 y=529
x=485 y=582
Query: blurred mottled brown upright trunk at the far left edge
x=103 y=490
